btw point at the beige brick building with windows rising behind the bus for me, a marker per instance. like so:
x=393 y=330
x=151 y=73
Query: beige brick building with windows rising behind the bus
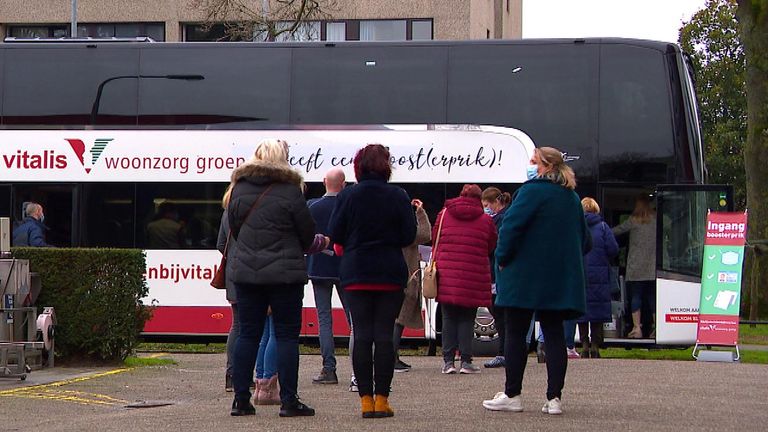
x=177 y=20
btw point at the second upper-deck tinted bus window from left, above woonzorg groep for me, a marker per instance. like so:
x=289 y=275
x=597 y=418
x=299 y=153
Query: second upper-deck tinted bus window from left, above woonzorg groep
x=240 y=84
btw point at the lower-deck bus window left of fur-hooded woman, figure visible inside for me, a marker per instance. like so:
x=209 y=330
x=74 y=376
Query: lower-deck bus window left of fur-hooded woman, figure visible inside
x=192 y=210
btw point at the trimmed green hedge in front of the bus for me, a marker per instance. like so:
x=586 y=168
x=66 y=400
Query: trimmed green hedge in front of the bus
x=97 y=296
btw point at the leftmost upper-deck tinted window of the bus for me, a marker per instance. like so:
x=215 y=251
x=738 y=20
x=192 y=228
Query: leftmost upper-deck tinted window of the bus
x=58 y=86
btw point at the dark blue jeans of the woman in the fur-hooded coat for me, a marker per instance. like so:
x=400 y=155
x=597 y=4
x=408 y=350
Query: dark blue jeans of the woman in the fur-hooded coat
x=252 y=303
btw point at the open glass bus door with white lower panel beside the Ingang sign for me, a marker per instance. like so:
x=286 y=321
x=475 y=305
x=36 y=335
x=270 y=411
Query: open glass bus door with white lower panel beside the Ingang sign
x=681 y=223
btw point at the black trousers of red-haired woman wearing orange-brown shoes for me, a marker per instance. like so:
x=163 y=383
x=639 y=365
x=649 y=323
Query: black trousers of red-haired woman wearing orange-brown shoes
x=373 y=318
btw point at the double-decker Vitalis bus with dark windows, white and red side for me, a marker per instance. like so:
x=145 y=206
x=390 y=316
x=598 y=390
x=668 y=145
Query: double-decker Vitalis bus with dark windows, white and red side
x=149 y=123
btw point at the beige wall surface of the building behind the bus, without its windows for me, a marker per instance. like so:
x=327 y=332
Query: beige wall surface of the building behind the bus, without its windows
x=453 y=19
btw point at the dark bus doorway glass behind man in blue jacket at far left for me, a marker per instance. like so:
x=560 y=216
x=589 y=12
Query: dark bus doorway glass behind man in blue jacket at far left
x=58 y=201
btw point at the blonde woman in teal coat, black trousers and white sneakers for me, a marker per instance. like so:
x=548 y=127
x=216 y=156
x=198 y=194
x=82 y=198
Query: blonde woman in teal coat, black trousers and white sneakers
x=540 y=269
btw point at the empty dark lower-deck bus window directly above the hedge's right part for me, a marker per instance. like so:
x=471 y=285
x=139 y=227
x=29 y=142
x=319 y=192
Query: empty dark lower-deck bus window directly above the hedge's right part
x=108 y=214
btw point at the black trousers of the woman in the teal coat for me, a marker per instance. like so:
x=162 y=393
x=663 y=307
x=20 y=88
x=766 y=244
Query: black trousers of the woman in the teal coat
x=516 y=350
